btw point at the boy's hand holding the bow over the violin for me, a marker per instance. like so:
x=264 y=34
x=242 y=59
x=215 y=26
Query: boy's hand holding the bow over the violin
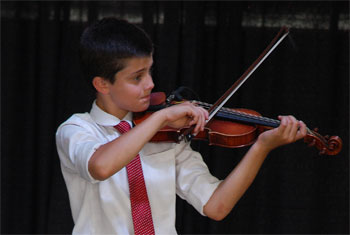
x=186 y=114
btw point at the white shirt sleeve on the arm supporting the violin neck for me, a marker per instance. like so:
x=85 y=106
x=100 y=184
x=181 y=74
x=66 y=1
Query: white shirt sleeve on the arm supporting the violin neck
x=194 y=183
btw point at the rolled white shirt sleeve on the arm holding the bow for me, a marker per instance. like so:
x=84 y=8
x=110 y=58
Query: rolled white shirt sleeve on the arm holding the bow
x=75 y=146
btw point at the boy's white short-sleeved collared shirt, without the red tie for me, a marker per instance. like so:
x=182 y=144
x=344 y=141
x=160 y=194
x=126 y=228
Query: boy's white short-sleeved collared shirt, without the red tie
x=103 y=207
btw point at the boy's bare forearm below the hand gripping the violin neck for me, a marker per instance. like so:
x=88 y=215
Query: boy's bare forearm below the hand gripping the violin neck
x=236 y=183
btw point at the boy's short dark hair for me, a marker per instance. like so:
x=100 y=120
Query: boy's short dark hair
x=106 y=44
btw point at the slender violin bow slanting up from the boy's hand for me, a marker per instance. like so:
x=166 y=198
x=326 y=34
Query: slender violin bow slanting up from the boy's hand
x=284 y=31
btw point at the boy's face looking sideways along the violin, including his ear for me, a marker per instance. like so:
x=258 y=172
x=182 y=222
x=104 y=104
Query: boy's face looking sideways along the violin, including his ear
x=132 y=87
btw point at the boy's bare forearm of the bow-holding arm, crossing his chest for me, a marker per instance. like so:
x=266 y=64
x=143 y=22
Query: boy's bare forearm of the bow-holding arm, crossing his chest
x=113 y=156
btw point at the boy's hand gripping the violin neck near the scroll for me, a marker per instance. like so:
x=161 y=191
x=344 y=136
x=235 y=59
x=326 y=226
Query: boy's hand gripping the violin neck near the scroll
x=289 y=131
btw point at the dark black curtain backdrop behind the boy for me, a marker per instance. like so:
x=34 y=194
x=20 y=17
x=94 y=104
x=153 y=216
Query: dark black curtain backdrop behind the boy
x=205 y=46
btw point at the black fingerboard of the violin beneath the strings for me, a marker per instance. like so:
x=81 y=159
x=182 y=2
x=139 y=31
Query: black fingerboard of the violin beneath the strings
x=239 y=116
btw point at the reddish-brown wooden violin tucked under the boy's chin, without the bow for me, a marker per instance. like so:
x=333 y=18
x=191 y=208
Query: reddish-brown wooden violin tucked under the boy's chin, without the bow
x=231 y=128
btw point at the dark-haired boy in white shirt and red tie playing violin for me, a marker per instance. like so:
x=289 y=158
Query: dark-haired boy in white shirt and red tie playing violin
x=98 y=151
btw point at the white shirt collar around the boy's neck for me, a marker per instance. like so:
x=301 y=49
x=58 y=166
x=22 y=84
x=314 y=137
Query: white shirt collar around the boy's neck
x=105 y=119
